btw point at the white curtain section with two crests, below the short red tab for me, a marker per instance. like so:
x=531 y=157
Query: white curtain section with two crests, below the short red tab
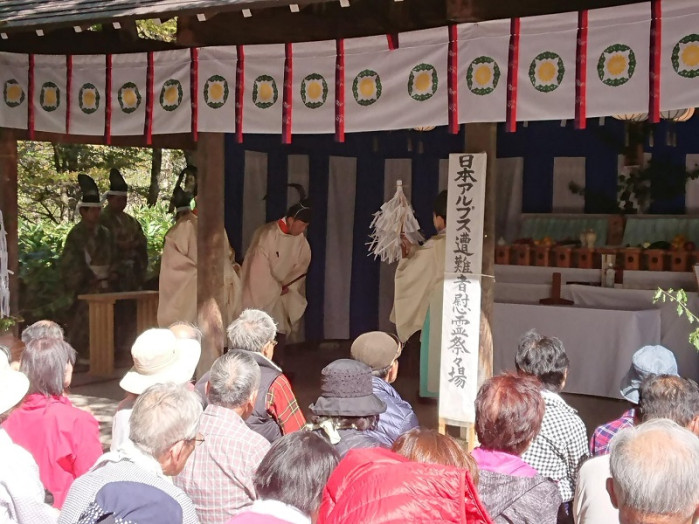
x=396 y=89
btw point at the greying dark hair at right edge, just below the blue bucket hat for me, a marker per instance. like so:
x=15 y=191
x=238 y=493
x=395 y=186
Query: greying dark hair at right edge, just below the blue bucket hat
x=671 y=397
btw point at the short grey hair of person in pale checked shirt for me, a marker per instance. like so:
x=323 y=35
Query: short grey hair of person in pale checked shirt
x=234 y=379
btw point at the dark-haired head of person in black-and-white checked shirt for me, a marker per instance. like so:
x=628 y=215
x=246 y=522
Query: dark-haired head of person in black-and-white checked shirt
x=543 y=357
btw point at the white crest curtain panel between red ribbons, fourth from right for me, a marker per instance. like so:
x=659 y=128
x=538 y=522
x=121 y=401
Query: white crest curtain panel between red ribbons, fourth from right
x=483 y=58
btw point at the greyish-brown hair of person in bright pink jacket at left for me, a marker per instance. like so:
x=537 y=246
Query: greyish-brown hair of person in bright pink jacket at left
x=44 y=362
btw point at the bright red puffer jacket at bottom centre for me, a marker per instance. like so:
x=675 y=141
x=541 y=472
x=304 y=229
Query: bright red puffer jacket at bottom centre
x=378 y=486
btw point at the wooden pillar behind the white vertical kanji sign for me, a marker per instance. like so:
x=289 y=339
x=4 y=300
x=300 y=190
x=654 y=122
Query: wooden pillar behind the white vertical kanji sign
x=482 y=138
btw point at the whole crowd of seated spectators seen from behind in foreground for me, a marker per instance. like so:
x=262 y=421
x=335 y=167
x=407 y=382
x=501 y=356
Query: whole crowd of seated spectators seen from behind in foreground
x=235 y=448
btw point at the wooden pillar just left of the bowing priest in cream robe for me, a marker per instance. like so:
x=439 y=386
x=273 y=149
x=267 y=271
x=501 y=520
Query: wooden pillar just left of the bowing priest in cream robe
x=210 y=243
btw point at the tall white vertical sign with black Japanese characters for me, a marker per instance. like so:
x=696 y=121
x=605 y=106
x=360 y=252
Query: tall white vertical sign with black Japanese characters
x=458 y=375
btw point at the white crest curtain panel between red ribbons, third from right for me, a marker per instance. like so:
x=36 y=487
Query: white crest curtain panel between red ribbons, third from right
x=546 y=78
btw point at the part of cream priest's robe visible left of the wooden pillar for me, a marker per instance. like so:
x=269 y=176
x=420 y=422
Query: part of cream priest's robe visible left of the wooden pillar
x=178 y=273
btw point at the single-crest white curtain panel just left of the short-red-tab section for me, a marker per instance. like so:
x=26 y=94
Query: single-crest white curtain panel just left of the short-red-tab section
x=313 y=87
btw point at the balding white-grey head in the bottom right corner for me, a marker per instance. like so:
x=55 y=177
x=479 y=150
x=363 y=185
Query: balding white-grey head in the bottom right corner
x=654 y=467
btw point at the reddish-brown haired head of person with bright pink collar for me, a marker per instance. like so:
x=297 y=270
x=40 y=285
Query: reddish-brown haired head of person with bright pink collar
x=509 y=412
